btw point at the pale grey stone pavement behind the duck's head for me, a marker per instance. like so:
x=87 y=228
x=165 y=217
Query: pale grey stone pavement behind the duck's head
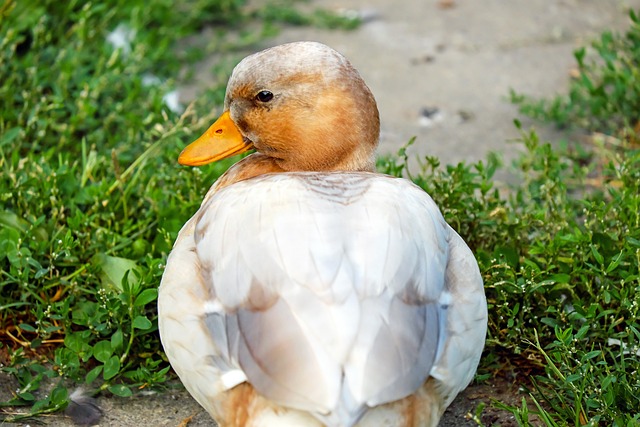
x=442 y=70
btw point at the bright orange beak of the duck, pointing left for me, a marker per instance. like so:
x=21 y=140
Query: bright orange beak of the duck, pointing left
x=221 y=140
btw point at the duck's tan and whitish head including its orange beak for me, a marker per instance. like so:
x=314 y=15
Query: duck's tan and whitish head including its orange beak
x=302 y=105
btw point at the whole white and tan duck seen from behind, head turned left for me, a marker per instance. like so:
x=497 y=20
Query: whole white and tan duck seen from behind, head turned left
x=308 y=289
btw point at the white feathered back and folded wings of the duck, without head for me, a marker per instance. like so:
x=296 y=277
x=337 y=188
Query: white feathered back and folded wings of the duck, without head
x=330 y=293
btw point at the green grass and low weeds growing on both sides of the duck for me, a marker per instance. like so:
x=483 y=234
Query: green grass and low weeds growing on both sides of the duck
x=92 y=199
